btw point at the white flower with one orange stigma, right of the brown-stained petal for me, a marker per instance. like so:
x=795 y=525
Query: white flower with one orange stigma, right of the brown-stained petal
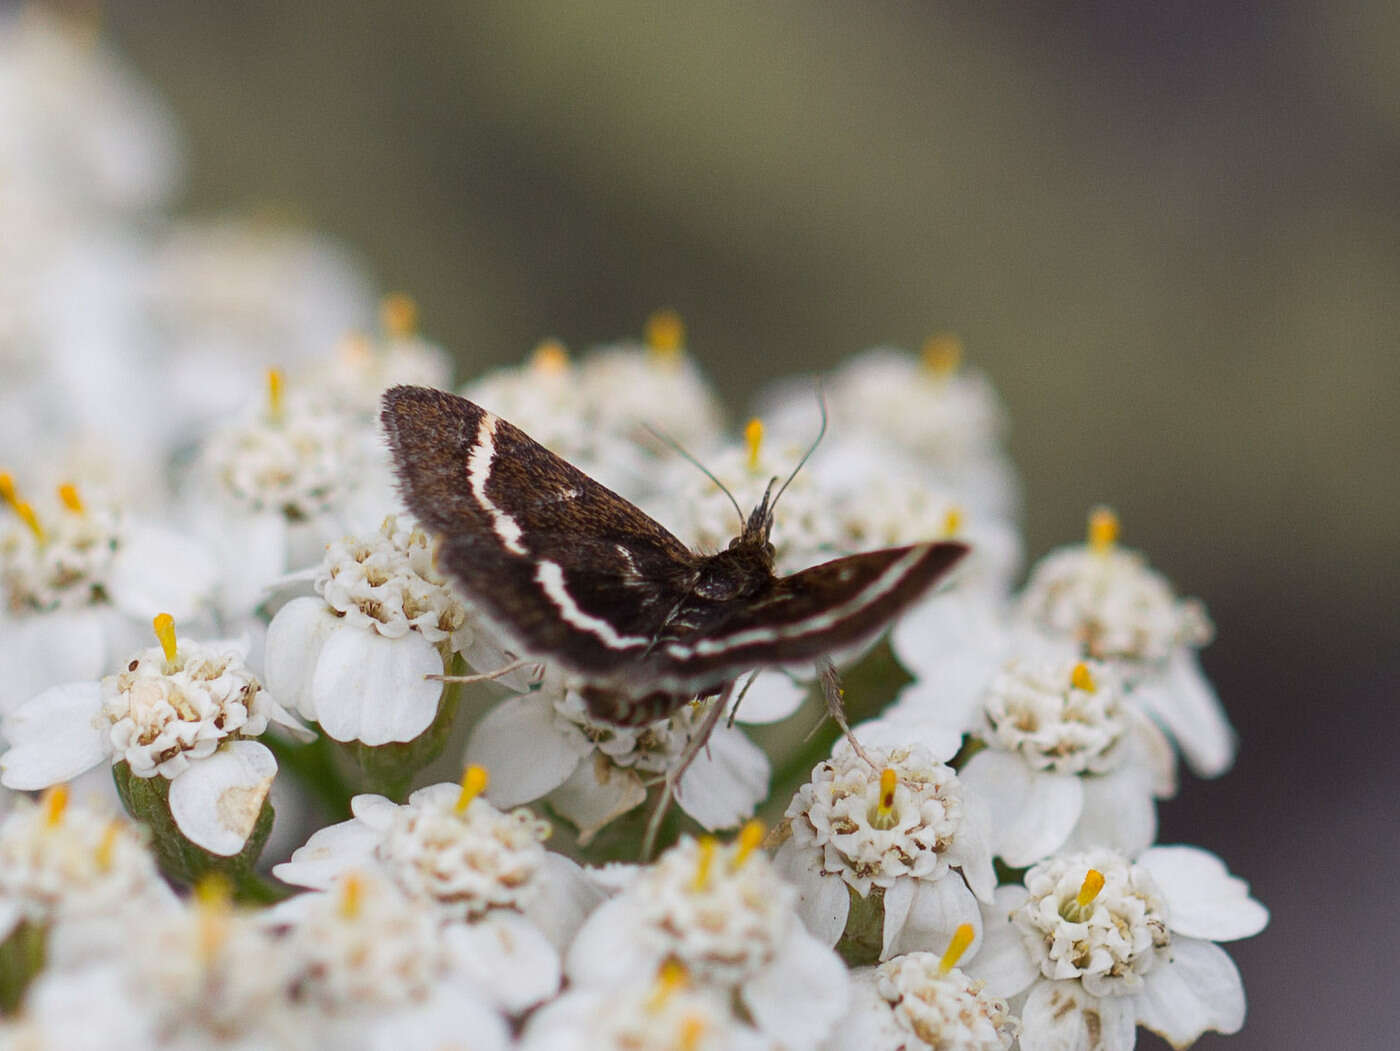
x=453 y=850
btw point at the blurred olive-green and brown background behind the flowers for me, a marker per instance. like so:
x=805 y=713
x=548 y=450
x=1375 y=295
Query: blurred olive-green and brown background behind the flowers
x=1171 y=233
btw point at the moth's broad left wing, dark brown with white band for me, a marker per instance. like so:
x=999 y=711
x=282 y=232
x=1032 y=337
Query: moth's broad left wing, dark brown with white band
x=570 y=570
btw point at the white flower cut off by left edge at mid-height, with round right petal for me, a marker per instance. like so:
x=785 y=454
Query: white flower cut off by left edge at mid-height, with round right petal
x=79 y=584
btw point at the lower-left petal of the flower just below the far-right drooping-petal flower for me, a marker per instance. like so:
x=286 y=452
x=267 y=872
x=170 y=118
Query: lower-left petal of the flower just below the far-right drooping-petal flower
x=1032 y=812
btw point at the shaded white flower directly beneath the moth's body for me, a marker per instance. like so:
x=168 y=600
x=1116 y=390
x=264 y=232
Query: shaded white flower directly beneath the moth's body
x=545 y=744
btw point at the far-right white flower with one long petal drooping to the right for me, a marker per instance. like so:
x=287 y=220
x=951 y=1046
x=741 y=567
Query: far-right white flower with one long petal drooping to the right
x=1114 y=607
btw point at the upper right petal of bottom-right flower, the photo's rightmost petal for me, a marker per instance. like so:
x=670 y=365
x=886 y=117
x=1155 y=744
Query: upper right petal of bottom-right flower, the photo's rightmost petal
x=1203 y=901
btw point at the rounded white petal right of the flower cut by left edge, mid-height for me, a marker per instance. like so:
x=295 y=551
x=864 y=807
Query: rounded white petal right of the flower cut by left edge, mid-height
x=162 y=572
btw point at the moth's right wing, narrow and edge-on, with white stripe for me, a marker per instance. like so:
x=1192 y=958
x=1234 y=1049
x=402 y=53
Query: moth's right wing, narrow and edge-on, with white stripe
x=804 y=616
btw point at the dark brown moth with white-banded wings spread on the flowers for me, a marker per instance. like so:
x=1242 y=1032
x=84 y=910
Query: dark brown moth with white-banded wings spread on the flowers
x=576 y=576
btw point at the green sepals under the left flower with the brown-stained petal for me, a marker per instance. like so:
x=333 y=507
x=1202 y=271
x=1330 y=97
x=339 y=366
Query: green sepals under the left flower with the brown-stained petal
x=148 y=801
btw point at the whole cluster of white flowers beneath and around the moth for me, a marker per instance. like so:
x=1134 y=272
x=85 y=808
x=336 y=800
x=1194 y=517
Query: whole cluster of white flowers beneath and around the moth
x=191 y=440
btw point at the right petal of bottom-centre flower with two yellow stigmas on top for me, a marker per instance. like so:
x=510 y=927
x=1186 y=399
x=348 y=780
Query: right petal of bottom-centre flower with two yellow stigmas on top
x=801 y=994
